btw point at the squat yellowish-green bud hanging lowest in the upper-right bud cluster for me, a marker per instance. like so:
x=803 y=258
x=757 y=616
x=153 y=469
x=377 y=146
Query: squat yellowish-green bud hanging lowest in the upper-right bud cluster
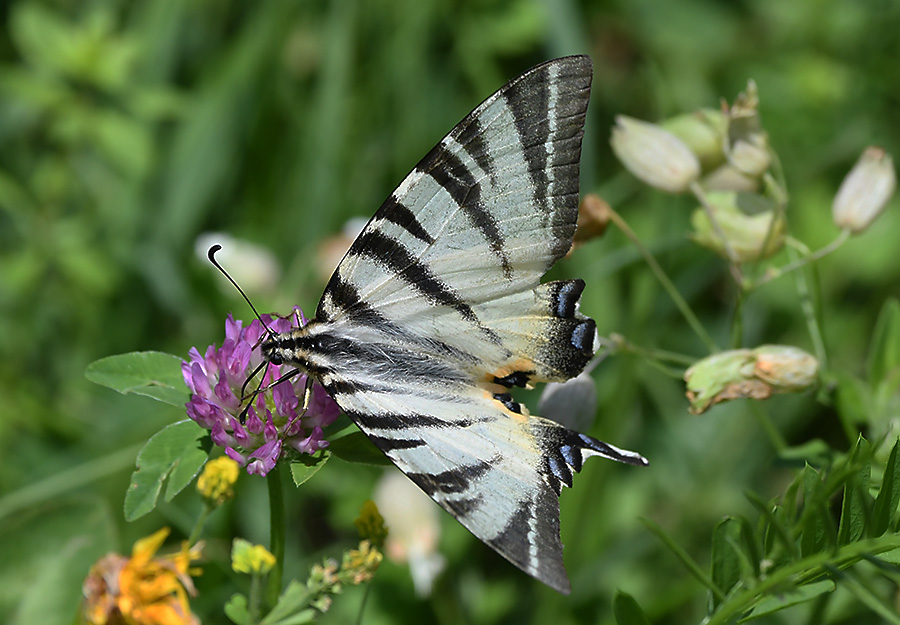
x=745 y=219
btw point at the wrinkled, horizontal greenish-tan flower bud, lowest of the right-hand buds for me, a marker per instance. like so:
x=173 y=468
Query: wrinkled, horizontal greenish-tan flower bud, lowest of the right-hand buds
x=750 y=374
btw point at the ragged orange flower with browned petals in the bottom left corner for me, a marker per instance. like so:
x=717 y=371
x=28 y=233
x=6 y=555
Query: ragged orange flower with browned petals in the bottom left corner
x=143 y=589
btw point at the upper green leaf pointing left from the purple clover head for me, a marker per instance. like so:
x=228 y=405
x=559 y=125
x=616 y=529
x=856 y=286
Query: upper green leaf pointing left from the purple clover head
x=153 y=374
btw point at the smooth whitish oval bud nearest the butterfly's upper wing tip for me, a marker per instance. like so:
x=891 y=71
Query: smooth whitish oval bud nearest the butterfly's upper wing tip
x=654 y=155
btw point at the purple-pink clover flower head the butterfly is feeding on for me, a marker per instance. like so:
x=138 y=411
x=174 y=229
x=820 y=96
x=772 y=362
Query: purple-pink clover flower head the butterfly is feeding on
x=256 y=431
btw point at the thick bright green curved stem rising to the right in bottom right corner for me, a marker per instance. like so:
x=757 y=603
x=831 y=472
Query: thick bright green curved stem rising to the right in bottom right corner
x=805 y=570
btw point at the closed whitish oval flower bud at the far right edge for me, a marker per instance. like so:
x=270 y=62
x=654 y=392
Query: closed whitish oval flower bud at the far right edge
x=865 y=191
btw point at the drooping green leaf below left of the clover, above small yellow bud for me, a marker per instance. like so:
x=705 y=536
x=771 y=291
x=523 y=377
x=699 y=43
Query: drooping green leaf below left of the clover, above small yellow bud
x=162 y=457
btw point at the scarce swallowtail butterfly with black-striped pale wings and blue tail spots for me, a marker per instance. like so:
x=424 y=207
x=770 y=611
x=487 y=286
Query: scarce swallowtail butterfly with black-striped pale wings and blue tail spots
x=437 y=311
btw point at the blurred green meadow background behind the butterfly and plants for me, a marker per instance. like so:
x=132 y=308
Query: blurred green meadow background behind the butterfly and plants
x=128 y=129
